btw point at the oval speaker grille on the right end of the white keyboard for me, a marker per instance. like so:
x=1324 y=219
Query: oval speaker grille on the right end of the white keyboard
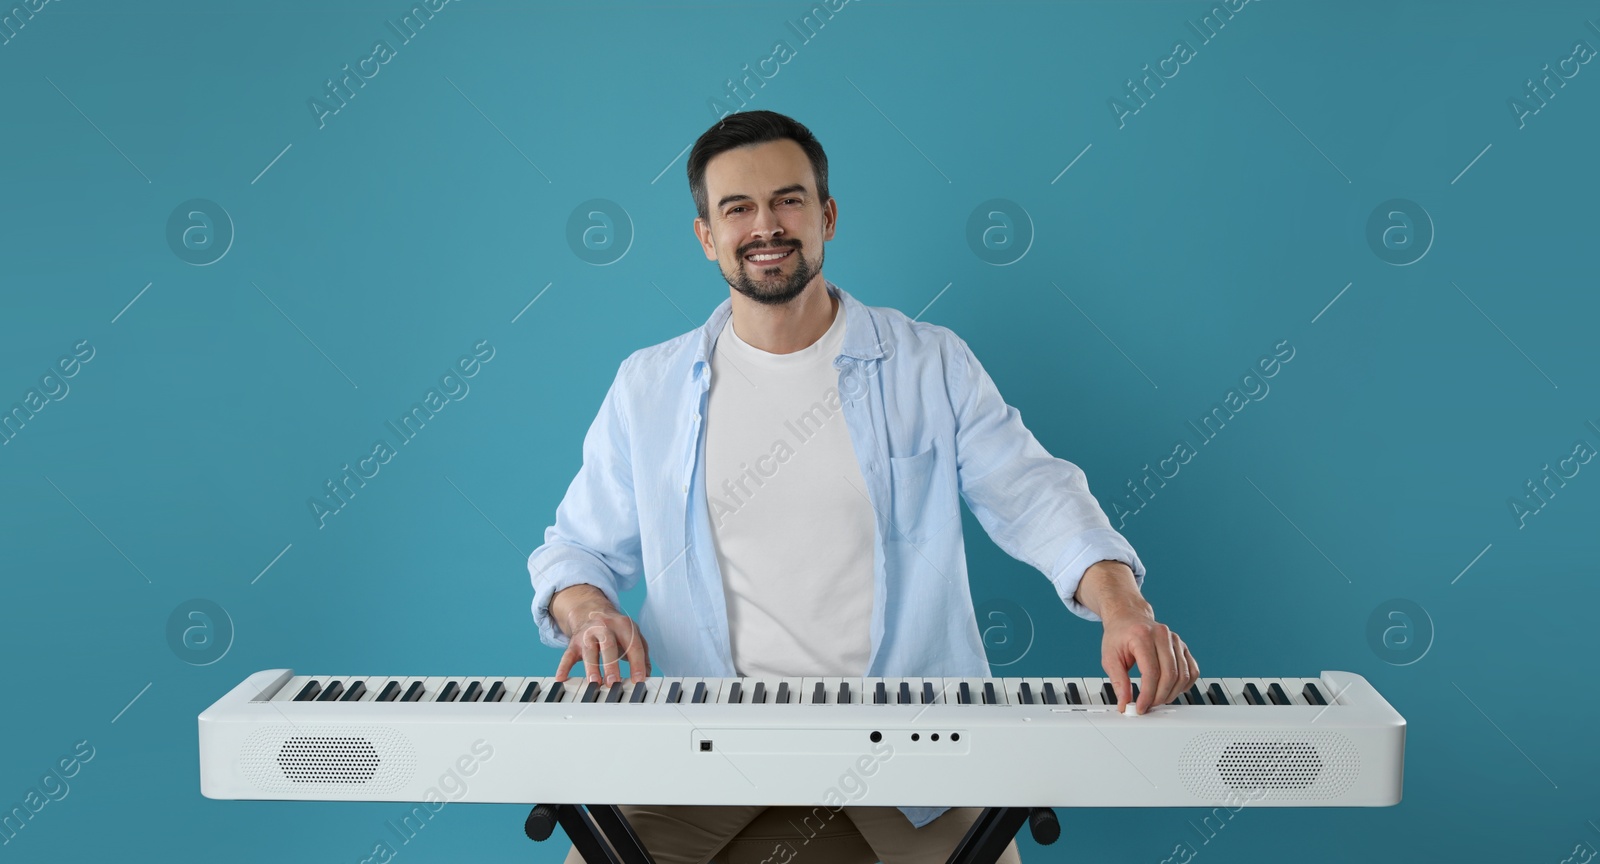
x=1250 y=767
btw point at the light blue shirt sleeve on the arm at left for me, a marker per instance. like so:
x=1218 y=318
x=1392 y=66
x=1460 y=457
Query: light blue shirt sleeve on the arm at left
x=596 y=534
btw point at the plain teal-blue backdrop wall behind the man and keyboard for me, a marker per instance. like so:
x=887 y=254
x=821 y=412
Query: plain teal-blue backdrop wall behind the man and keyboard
x=426 y=215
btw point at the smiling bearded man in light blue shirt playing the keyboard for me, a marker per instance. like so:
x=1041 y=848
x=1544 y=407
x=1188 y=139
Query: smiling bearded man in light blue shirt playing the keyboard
x=788 y=478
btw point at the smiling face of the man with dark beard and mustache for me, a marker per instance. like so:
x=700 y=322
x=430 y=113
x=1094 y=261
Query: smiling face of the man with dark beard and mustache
x=762 y=201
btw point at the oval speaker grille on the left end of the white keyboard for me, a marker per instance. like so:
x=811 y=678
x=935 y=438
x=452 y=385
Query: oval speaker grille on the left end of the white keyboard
x=295 y=759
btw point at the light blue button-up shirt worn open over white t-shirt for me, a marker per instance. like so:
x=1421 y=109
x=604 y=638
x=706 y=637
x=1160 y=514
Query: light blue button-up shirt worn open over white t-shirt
x=929 y=430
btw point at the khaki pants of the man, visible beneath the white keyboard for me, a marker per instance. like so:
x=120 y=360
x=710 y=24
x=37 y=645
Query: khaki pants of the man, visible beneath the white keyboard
x=796 y=836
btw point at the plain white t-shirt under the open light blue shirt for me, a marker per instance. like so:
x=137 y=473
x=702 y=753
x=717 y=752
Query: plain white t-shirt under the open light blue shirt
x=790 y=511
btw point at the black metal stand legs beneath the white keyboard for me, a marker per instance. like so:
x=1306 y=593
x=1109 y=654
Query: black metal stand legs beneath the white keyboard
x=601 y=830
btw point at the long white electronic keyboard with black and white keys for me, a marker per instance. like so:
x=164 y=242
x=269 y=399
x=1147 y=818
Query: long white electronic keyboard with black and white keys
x=1326 y=742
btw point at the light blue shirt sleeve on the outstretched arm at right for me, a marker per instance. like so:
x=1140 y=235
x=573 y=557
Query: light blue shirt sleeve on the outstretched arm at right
x=1034 y=506
